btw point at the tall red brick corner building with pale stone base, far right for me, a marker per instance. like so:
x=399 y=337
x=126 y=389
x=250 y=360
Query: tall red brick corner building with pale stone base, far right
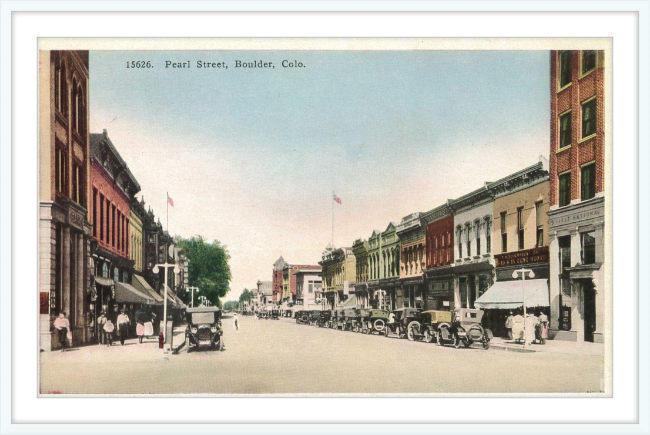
x=577 y=186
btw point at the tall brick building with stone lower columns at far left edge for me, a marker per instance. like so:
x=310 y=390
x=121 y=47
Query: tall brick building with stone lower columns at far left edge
x=64 y=228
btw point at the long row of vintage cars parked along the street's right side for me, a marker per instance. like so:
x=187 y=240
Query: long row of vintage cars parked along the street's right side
x=461 y=327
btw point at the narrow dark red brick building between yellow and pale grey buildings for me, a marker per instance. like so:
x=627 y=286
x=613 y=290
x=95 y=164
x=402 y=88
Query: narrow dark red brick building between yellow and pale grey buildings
x=439 y=258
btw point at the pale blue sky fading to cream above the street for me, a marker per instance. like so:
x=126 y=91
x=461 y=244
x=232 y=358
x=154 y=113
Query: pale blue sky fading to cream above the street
x=251 y=156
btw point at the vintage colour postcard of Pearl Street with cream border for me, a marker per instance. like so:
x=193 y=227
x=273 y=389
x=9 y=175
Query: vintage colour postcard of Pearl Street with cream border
x=339 y=217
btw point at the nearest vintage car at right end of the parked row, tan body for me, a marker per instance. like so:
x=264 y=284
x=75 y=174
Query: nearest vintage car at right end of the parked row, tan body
x=464 y=329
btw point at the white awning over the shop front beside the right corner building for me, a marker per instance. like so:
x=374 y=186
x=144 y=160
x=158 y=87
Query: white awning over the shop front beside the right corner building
x=509 y=294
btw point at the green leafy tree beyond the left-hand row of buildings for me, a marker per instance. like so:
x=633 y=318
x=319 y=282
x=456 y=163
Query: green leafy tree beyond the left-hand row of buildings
x=208 y=267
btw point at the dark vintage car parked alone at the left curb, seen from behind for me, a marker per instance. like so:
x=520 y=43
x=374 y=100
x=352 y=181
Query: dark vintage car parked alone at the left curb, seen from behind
x=203 y=328
